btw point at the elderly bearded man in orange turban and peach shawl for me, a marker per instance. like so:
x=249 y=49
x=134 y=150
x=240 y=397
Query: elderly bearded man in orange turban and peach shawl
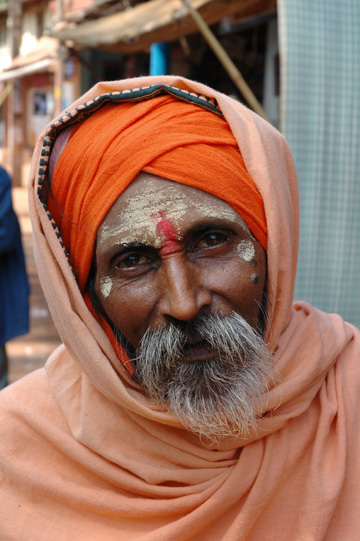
x=190 y=399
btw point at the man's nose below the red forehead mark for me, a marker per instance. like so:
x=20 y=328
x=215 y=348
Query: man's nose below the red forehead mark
x=183 y=295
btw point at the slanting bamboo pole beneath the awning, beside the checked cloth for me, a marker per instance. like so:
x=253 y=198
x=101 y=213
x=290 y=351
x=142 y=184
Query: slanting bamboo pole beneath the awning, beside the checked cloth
x=226 y=61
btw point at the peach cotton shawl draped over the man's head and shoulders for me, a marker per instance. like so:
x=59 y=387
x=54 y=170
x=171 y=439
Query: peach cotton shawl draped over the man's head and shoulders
x=85 y=456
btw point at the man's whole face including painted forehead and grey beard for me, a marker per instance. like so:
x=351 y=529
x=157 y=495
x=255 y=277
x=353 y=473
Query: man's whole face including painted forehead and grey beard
x=182 y=279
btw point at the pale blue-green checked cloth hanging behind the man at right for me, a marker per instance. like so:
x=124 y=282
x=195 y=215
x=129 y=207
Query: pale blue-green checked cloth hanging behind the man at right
x=320 y=118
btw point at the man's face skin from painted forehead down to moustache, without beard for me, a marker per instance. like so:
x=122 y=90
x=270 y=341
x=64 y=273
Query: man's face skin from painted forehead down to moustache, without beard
x=166 y=251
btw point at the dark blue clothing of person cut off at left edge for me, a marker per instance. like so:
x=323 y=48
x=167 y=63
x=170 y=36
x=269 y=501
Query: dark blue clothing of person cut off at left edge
x=14 y=284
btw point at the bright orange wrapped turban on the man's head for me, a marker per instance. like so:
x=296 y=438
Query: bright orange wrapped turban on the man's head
x=170 y=138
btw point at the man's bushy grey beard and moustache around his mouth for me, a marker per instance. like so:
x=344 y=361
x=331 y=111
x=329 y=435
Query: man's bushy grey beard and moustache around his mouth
x=214 y=399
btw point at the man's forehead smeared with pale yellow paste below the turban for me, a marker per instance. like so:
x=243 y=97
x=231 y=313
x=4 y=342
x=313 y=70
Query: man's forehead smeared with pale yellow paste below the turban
x=151 y=200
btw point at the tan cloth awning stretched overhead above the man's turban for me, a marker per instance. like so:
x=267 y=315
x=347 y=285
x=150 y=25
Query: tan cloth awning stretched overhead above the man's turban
x=136 y=28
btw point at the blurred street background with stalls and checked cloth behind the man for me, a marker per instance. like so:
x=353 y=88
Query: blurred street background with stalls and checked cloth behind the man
x=295 y=62
